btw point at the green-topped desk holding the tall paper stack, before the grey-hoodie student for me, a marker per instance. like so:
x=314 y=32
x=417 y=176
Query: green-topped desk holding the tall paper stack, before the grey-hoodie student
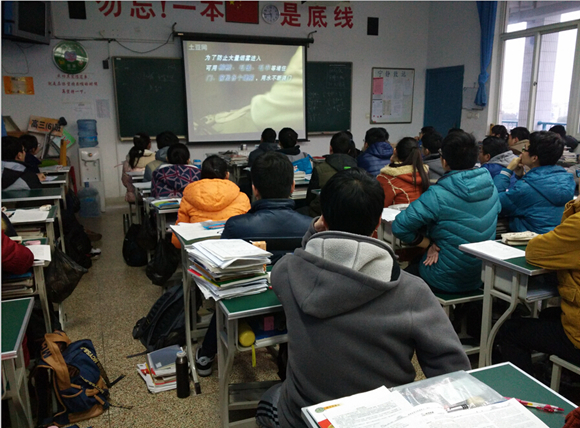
x=228 y=313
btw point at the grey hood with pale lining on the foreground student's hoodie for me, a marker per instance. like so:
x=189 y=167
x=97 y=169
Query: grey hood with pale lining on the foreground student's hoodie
x=333 y=264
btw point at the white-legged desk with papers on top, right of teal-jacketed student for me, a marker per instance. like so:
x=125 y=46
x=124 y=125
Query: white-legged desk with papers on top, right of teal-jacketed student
x=507 y=280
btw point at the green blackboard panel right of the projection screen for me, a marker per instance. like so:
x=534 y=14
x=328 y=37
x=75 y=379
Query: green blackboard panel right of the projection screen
x=328 y=96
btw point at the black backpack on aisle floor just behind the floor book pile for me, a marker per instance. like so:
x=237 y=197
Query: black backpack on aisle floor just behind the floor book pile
x=164 y=325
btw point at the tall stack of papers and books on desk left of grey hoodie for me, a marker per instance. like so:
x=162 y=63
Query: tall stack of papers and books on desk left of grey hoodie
x=228 y=268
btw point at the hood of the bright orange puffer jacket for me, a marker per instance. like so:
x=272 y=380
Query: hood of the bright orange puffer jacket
x=211 y=194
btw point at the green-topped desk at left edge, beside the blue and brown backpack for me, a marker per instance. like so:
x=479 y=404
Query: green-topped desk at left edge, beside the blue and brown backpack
x=15 y=318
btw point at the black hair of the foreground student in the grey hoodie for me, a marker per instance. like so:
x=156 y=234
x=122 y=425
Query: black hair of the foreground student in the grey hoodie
x=352 y=201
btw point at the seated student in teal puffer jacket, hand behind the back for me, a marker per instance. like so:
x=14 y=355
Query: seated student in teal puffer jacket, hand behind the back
x=461 y=208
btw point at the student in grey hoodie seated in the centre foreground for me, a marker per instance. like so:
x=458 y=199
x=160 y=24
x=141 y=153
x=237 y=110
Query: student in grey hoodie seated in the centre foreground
x=354 y=318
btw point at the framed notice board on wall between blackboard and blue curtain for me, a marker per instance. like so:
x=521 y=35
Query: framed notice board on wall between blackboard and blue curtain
x=392 y=95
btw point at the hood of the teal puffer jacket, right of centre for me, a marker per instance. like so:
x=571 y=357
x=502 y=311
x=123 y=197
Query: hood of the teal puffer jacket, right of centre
x=471 y=185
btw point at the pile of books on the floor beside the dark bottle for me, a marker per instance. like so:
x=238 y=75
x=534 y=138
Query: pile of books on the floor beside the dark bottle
x=159 y=370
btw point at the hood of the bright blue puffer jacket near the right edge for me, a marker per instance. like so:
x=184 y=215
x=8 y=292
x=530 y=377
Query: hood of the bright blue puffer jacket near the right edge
x=549 y=181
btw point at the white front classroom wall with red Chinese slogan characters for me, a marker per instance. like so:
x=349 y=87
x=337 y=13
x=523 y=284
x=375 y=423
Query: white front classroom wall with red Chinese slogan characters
x=408 y=38
